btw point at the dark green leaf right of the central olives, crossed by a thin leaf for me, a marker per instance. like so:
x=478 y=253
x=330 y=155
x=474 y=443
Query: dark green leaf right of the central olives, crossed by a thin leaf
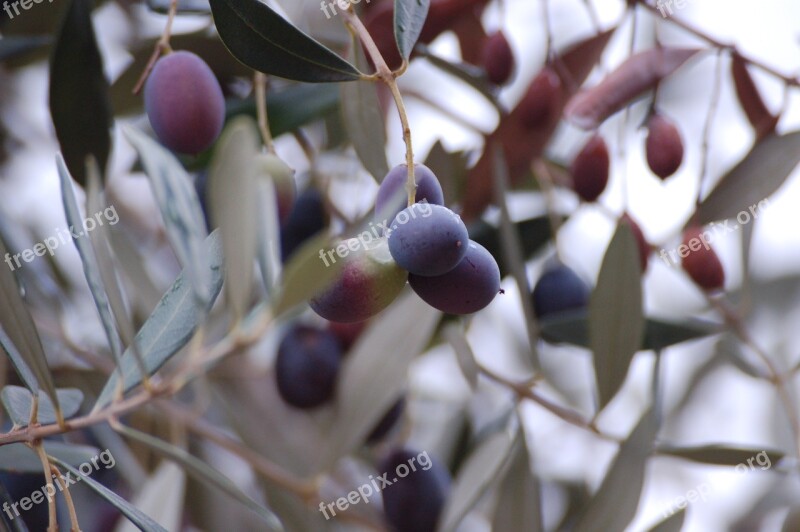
x=533 y=235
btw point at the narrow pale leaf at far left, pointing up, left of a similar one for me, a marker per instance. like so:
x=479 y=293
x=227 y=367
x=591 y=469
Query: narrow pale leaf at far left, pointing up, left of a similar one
x=91 y=269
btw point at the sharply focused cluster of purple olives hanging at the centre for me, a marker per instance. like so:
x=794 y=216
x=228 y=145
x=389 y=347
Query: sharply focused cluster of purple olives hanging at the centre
x=426 y=244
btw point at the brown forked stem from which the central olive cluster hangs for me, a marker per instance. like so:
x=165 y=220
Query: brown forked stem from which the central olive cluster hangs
x=385 y=74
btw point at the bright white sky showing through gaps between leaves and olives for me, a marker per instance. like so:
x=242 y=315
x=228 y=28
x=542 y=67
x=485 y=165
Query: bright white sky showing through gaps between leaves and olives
x=767 y=30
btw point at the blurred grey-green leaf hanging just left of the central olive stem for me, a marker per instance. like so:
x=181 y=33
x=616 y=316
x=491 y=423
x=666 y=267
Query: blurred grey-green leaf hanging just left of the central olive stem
x=363 y=119
